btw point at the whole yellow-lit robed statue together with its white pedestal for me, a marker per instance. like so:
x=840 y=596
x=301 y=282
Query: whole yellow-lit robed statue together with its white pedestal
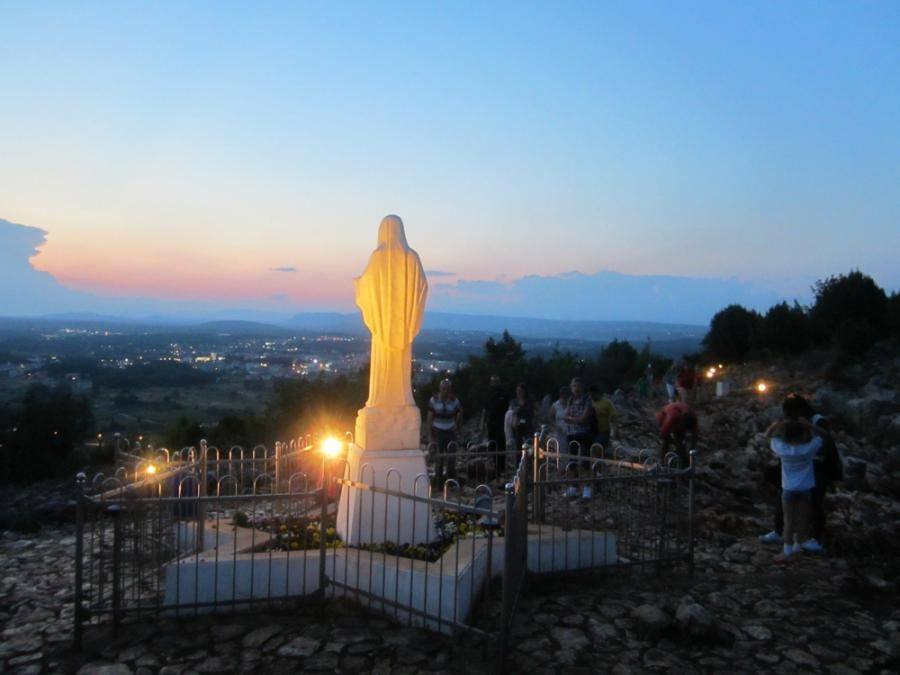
x=386 y=453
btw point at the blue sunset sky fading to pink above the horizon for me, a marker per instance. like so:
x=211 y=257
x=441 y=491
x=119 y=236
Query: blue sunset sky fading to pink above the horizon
x=247 y=151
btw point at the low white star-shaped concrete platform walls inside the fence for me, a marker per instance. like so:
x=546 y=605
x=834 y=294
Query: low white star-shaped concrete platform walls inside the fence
x=438 y=595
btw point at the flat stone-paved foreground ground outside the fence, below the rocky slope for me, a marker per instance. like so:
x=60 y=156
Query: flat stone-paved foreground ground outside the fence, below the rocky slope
x=739 y=613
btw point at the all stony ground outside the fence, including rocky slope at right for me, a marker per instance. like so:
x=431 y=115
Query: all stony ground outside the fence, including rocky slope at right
x=739 y=613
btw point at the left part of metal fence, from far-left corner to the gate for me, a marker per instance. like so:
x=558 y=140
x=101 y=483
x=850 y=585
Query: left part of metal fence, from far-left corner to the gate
x=202 y=531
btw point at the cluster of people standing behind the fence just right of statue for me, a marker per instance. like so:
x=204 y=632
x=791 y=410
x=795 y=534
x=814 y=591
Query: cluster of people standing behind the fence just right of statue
x=586 y=417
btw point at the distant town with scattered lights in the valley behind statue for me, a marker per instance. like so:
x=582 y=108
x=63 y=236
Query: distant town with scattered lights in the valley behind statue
x=143 y=378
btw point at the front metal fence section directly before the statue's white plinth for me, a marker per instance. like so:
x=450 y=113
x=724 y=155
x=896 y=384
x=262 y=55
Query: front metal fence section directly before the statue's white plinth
x=434 y=555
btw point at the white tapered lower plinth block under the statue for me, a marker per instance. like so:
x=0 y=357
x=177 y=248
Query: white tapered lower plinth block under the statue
x=366 y=517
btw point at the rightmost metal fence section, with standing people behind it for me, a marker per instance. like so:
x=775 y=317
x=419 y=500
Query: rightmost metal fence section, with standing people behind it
x=592 y=512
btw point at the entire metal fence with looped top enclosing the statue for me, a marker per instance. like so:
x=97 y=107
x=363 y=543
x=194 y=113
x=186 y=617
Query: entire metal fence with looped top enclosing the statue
x=203 y=530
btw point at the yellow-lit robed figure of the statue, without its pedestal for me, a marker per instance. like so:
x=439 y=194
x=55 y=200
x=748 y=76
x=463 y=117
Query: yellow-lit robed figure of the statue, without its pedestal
x=391 y=294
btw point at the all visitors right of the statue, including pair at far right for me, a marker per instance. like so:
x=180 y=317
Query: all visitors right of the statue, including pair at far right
x=809 y=462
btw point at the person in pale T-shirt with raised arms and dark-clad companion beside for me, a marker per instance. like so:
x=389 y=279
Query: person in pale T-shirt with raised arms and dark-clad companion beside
x=809 y=465
